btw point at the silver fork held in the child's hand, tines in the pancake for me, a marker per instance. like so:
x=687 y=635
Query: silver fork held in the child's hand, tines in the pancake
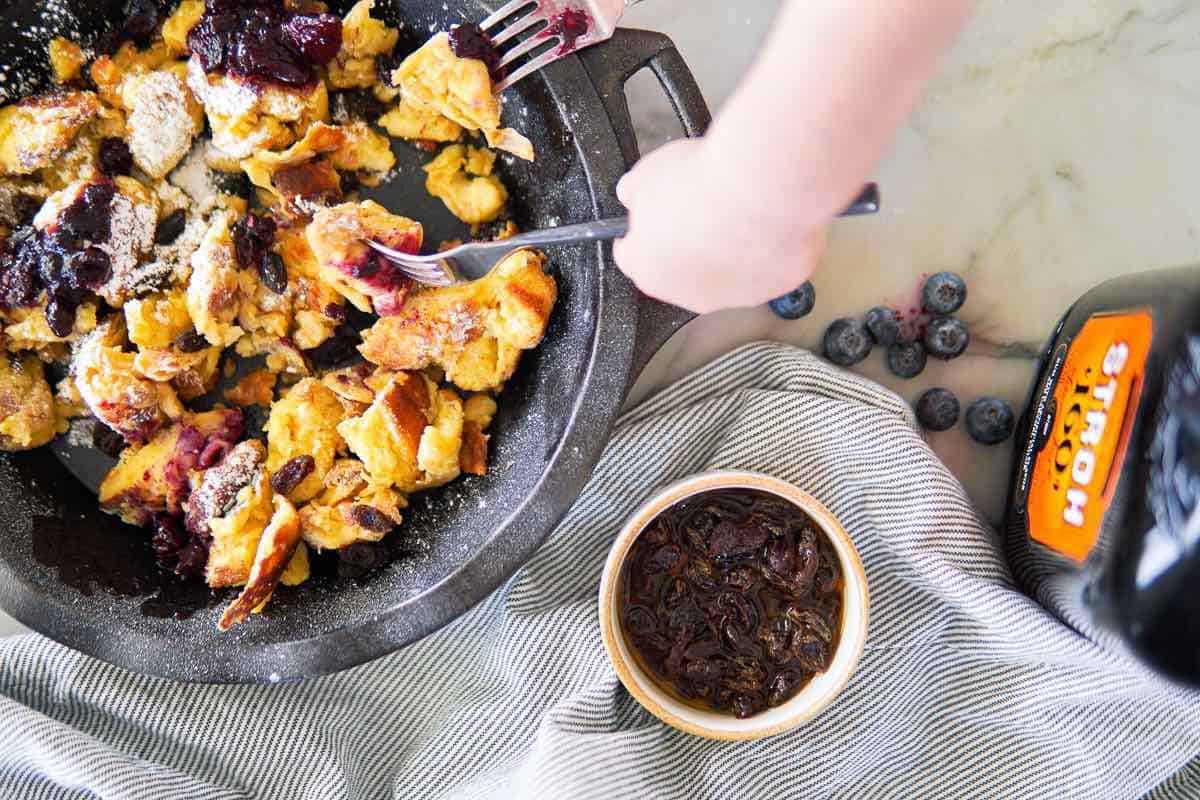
x=473 y=261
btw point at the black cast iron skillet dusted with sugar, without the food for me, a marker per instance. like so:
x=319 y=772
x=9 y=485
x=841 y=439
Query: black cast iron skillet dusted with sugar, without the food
x=457 y=545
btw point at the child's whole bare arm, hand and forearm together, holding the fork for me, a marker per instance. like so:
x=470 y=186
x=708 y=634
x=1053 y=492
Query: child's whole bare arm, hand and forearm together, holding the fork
x=740 y=218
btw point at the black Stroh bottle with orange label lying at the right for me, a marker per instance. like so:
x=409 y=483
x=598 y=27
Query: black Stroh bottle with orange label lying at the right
x=1103 y=522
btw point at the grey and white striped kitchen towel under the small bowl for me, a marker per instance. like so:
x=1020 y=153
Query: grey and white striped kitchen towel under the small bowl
x=967 y=690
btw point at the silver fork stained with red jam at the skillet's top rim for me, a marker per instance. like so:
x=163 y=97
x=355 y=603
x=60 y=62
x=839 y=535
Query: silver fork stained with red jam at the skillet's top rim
x=601 y=19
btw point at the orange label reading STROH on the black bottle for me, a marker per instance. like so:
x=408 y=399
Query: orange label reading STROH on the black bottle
x=1096 y=401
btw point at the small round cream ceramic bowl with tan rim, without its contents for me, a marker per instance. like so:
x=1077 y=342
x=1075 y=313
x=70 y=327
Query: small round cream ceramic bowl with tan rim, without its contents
x=809 y=701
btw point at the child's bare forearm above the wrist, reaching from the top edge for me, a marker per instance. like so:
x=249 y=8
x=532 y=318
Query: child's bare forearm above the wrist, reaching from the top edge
x=826 y=98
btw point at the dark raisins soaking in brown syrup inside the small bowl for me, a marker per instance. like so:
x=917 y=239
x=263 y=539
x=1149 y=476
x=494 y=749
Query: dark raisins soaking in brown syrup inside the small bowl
x=733 y=601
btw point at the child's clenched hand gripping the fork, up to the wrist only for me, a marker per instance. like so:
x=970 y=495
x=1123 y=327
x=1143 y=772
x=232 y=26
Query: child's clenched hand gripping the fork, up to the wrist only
x=705 y=238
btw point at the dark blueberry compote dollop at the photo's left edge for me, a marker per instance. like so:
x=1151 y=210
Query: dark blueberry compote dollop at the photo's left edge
x=64 y=261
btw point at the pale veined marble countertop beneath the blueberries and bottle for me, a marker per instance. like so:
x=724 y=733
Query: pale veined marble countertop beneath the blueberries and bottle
x=1057 y=148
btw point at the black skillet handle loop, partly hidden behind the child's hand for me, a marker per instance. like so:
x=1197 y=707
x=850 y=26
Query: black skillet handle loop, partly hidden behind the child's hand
x=610 y=67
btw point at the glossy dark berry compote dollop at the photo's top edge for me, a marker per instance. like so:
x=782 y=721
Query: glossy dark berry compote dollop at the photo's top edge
x=261 y=40
